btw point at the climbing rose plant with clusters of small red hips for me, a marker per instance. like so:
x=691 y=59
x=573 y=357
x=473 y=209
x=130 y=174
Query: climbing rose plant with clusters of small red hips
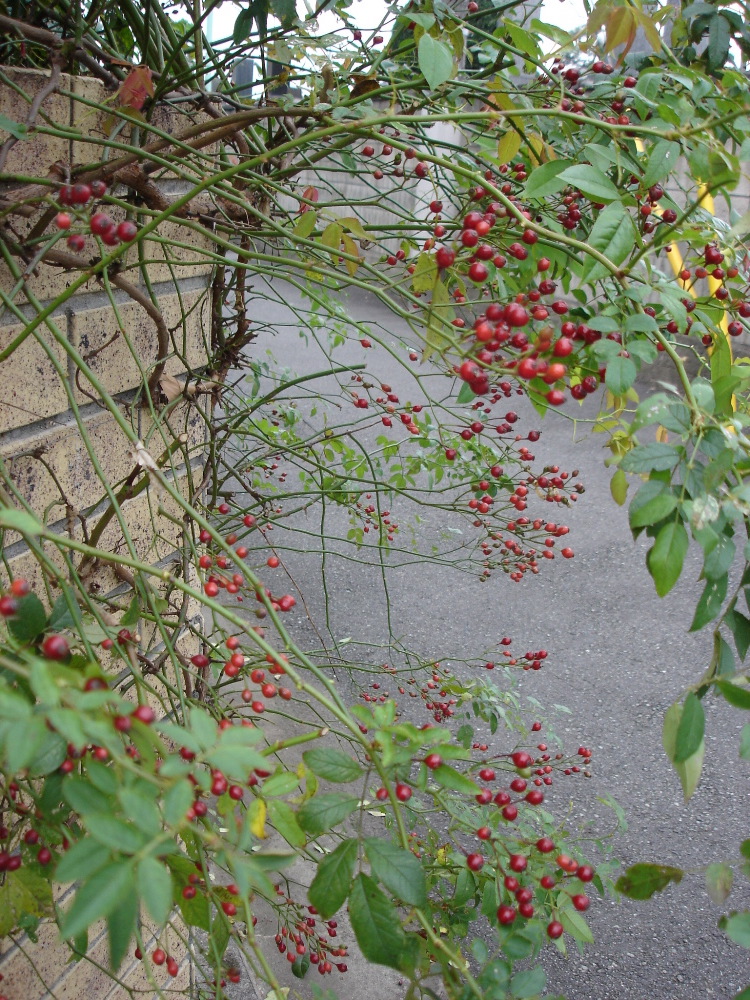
x=534 y=206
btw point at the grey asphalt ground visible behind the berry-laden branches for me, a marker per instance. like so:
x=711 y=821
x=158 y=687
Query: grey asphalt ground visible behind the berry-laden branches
x=618 y=657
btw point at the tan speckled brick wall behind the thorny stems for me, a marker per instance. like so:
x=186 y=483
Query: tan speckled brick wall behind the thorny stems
x=42 y=449
